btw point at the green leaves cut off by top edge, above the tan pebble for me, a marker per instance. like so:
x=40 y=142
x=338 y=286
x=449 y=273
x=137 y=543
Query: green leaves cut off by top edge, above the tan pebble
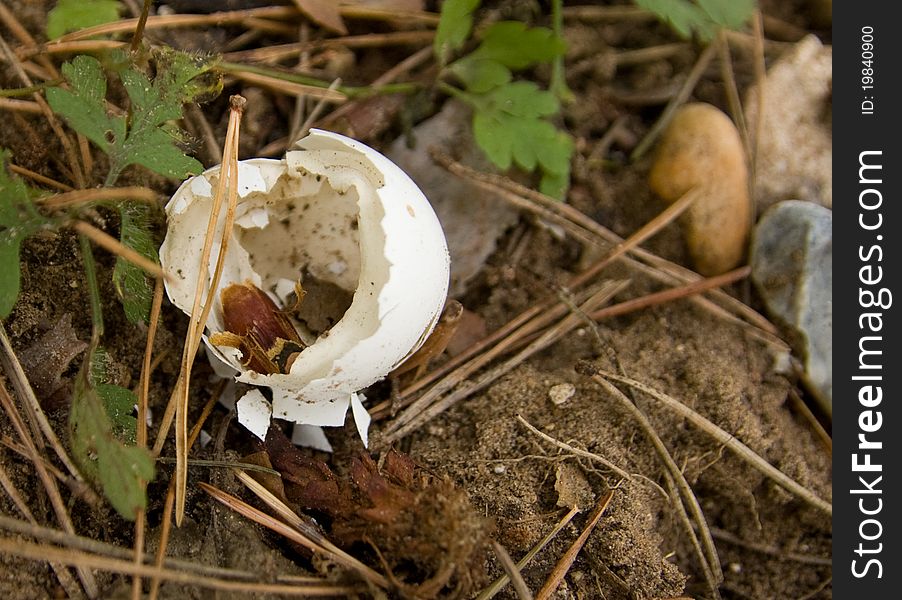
x=703 y=18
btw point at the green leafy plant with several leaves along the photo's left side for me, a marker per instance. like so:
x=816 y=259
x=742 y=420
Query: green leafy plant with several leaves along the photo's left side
x=102 y=428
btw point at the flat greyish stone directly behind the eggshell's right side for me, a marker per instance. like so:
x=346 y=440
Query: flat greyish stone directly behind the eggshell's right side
x=473 y=219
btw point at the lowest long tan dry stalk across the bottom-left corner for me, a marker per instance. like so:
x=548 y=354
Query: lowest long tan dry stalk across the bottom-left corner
x=86 y=560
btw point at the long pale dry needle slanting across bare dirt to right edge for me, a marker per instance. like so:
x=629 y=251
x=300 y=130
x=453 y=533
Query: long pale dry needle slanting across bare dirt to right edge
x=727 y=439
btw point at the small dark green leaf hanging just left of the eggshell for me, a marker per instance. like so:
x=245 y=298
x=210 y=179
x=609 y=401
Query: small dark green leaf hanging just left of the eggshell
x=130 y=281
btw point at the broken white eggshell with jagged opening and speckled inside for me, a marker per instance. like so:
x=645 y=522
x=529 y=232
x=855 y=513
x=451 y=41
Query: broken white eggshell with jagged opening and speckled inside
x=340 y=212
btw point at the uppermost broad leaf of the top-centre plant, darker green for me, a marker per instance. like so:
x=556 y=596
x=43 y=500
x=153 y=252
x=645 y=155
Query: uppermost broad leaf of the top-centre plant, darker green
x=517 y=46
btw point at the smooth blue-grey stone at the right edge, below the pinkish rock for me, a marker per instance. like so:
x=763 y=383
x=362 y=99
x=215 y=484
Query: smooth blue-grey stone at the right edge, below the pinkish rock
x=792 y=267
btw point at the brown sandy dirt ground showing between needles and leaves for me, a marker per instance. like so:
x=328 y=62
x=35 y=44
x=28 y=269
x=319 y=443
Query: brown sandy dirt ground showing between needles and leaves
x=639 y=550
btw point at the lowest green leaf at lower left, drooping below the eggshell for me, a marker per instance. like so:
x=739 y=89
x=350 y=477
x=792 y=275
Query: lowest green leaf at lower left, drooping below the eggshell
x=122 y=471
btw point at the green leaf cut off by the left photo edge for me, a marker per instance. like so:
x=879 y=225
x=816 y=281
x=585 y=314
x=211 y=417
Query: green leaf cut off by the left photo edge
x=18 y=219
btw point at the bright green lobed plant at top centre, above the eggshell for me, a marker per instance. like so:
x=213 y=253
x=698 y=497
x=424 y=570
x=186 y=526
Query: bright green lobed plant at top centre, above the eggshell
x=510 y=118
